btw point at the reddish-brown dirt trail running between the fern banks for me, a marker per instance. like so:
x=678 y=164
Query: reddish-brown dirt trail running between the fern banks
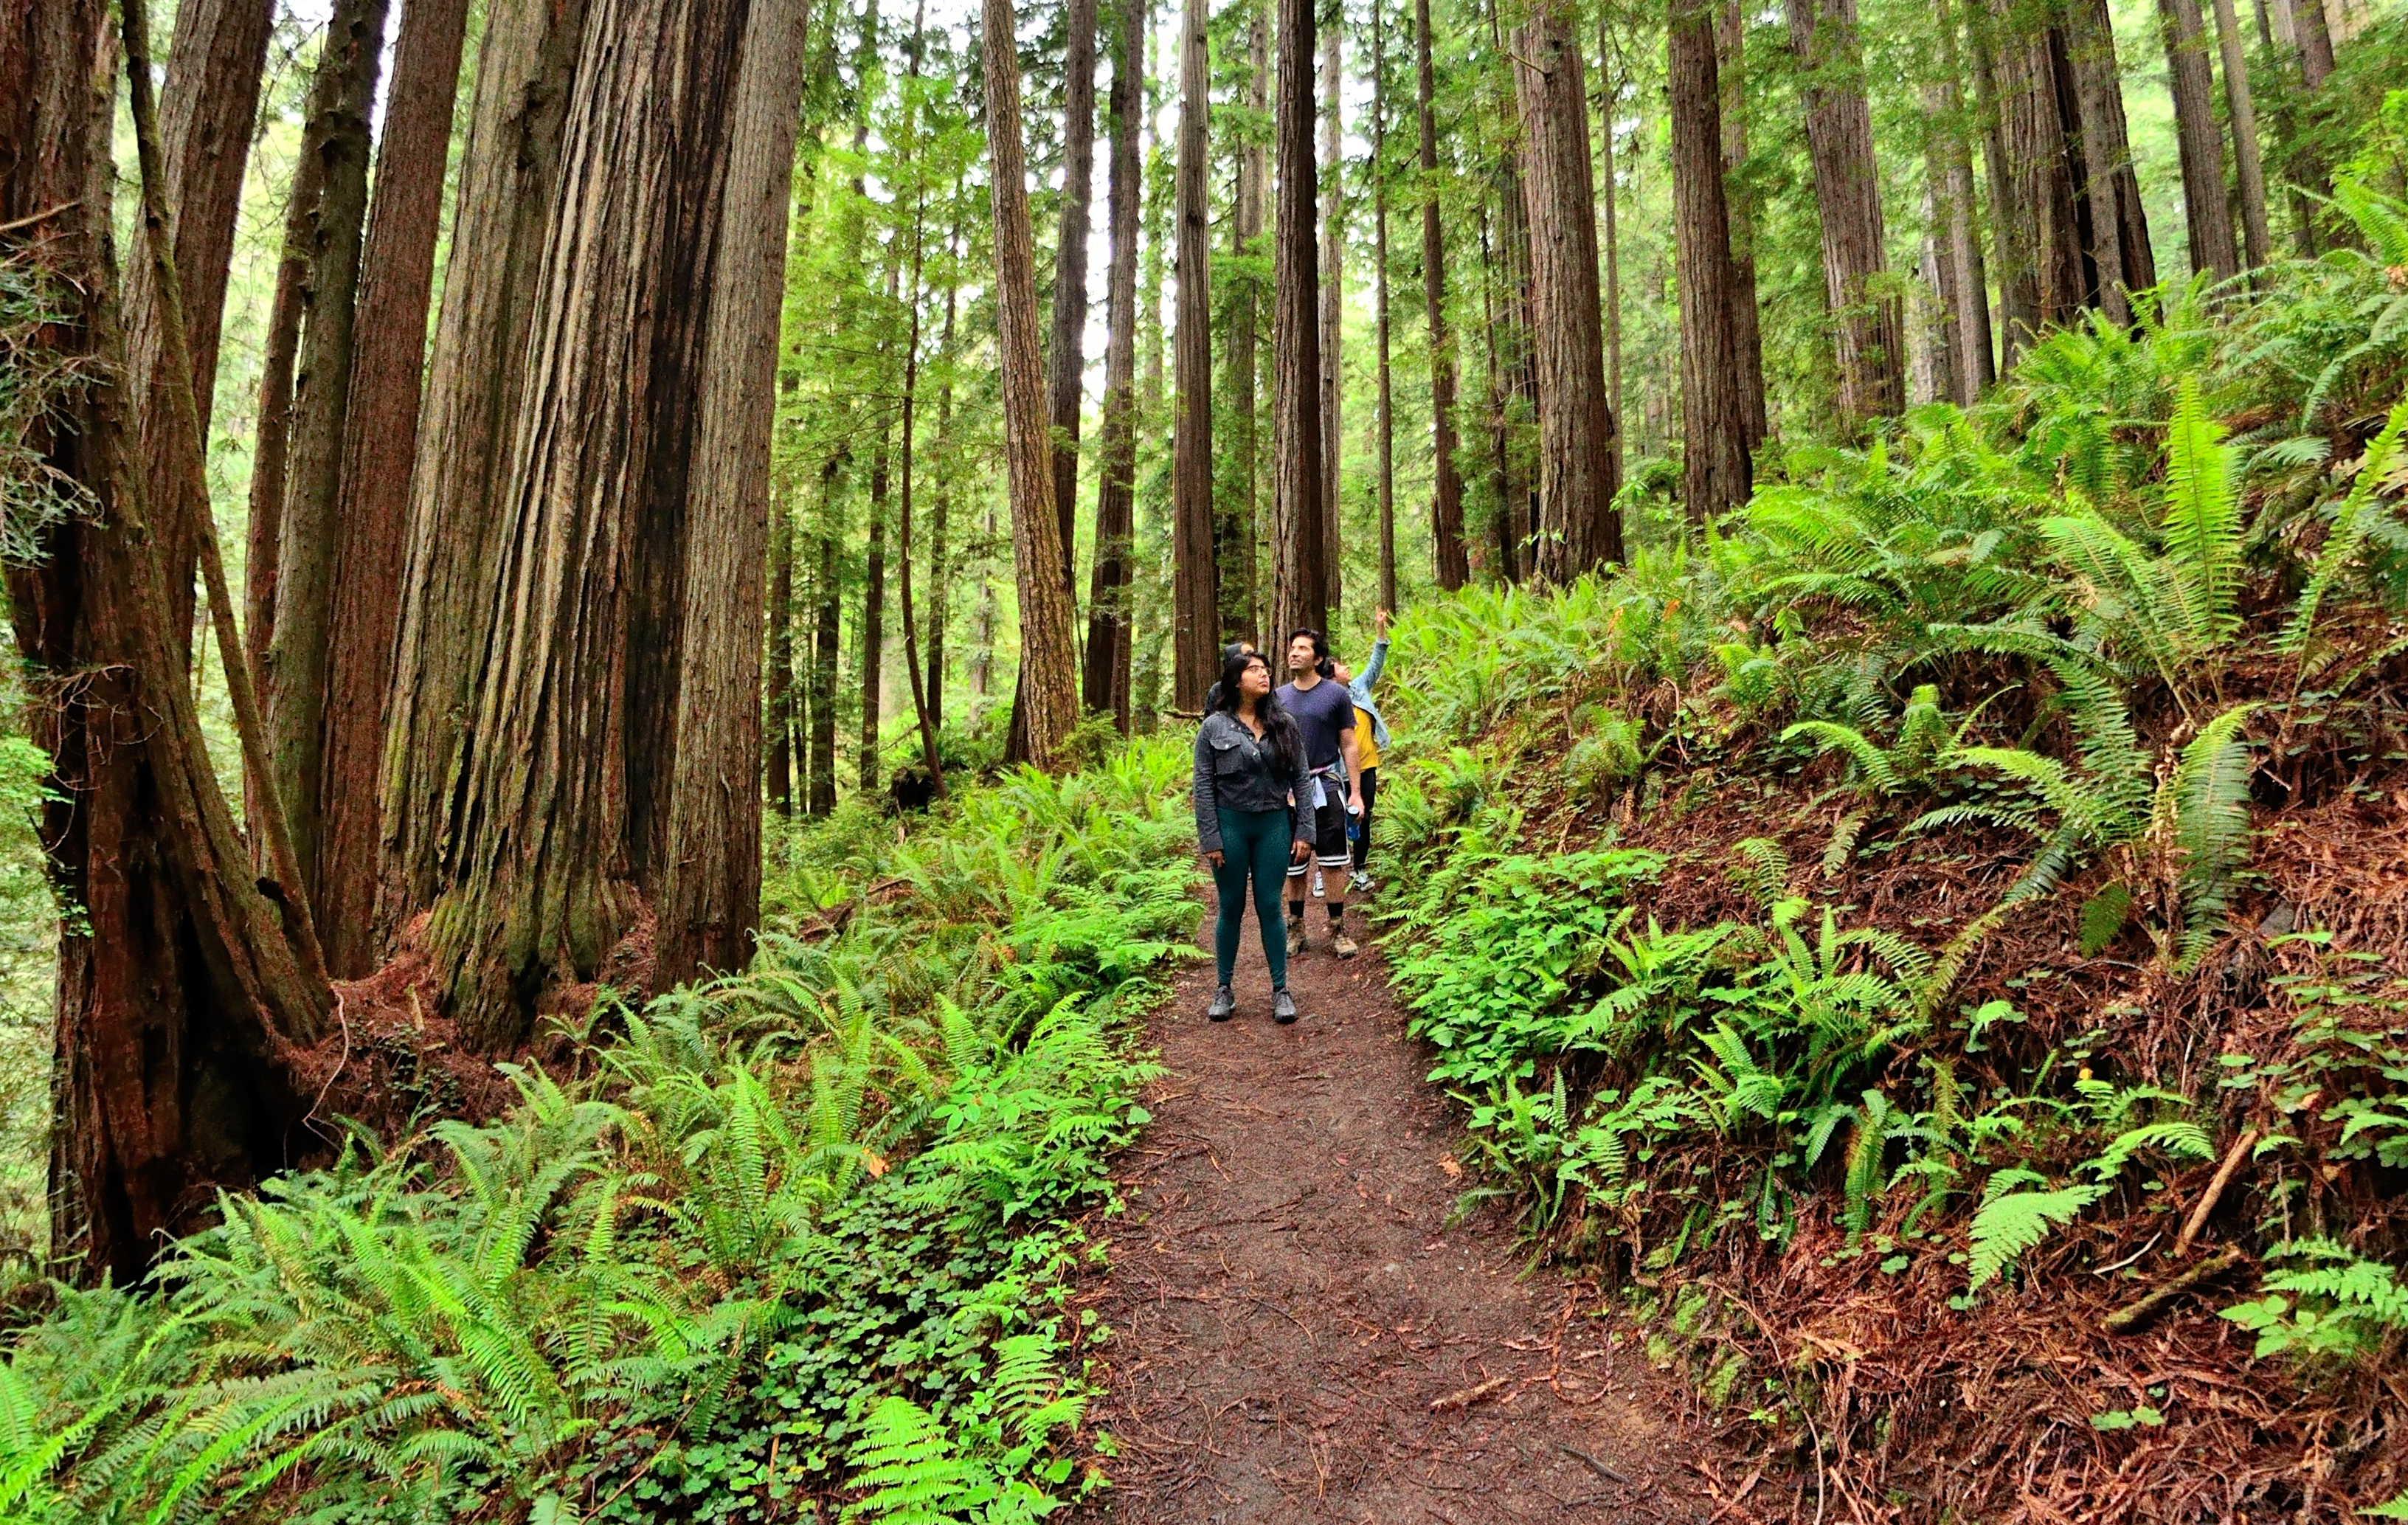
x=1302 y=1338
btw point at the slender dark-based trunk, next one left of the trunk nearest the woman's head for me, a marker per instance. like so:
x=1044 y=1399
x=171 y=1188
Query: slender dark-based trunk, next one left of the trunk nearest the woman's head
x=1116 y=493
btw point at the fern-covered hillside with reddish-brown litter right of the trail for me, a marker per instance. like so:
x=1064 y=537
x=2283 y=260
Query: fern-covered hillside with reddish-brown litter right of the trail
x=1875 y=926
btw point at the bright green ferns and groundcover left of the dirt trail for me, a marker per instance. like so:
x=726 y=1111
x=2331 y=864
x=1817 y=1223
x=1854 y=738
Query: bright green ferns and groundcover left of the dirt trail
x=781 y=1247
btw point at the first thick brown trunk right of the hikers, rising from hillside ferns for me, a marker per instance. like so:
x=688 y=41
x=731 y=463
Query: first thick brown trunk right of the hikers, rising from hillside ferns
x=1578 y=524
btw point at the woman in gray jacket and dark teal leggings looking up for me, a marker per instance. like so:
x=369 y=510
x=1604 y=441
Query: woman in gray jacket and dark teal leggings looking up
x=1249 y=762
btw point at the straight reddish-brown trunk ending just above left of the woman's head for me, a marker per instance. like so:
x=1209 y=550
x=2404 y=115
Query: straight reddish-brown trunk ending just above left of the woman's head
x=1196 y=596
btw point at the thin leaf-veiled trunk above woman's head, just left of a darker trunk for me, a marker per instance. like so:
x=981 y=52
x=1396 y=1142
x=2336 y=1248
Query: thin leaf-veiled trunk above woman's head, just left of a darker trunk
x=1237 y=524
